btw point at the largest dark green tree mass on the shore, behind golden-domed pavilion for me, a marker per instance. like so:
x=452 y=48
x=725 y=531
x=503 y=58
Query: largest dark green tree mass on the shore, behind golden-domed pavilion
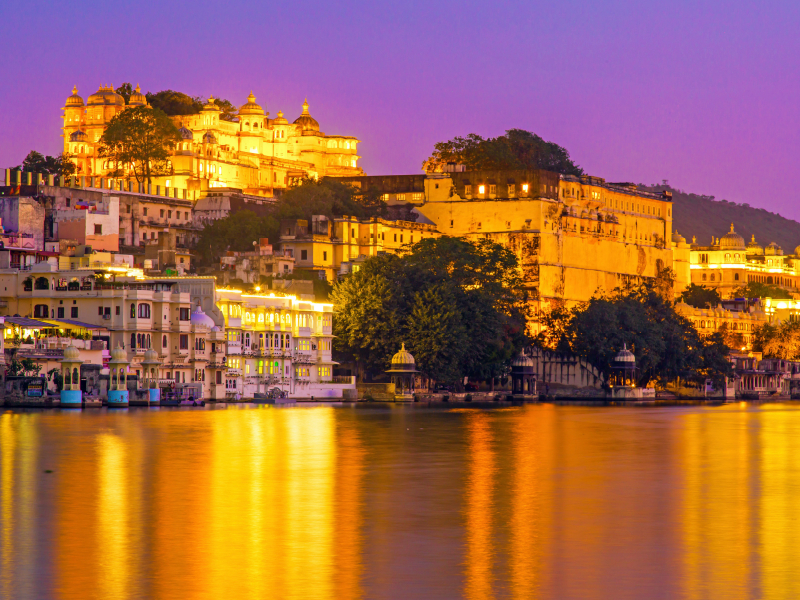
x=457 y=305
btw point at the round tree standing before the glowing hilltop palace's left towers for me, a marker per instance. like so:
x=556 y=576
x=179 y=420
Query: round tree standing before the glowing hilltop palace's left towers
x=139 y=141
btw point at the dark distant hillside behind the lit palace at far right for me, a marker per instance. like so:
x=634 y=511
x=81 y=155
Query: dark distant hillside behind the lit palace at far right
x=703 y=216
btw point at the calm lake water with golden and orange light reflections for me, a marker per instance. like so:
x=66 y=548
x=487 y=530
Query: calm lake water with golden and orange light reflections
x=401 y=502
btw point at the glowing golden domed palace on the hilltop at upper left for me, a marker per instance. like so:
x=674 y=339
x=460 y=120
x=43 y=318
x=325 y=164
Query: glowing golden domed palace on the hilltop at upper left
x=254 y=153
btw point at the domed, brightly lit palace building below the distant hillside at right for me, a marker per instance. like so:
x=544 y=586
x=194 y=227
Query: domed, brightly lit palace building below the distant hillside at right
x=728 y=263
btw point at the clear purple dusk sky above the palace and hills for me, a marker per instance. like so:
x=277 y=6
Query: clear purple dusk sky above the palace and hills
x=704 y=94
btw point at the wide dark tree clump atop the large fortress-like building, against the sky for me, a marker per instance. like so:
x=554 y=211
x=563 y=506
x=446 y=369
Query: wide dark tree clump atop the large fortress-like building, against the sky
x=517 y=149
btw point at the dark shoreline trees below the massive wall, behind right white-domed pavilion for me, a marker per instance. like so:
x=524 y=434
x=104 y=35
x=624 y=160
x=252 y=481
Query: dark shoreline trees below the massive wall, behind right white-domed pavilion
x=666 y=345
